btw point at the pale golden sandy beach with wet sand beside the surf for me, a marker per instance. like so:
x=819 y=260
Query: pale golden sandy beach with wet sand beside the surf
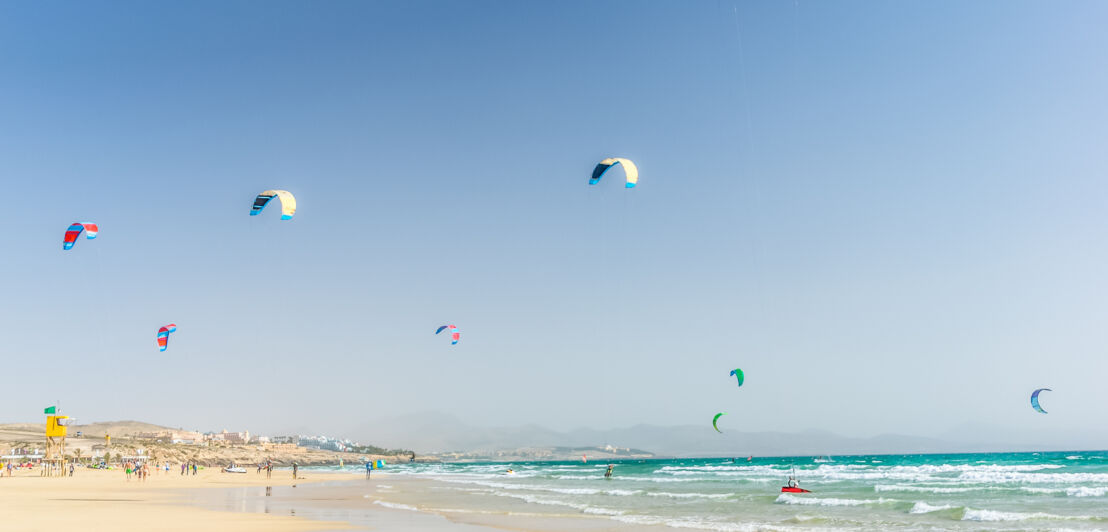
x=106 y=500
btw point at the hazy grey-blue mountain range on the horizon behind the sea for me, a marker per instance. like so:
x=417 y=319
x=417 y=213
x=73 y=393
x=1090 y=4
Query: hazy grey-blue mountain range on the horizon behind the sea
x=438 y=433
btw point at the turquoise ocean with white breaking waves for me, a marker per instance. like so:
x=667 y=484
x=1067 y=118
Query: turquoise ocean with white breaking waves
x=988 y=492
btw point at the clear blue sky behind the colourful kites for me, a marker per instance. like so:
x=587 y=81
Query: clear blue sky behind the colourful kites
x=892 y=216
